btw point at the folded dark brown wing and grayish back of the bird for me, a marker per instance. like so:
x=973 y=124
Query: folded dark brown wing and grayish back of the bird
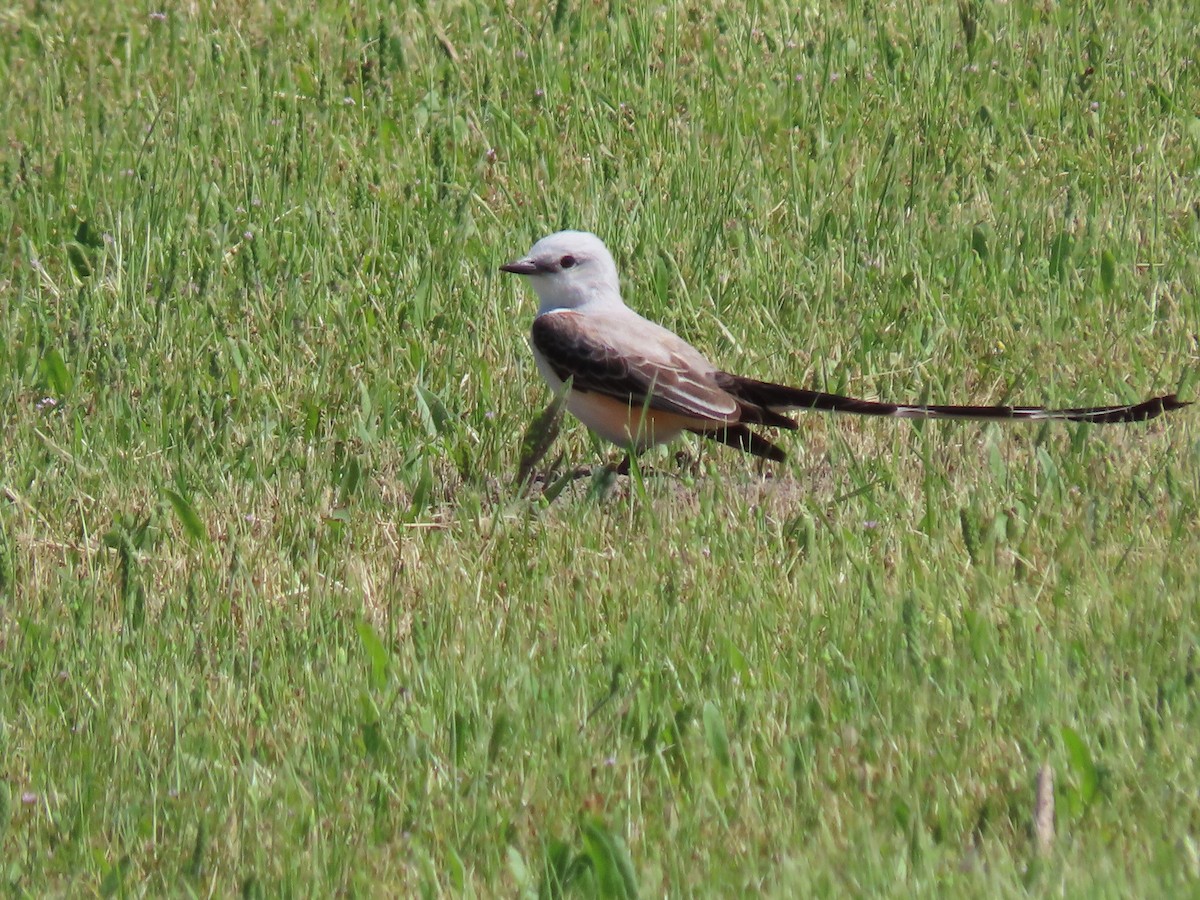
x=633 y=361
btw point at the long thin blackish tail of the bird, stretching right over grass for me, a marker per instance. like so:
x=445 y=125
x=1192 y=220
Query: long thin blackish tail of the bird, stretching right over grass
x=772 y=399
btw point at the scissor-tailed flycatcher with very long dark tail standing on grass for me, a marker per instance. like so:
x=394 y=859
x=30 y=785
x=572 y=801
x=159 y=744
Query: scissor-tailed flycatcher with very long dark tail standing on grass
x=638 y=385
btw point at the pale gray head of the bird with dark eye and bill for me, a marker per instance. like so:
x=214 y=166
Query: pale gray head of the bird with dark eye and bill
x=569 y=269
